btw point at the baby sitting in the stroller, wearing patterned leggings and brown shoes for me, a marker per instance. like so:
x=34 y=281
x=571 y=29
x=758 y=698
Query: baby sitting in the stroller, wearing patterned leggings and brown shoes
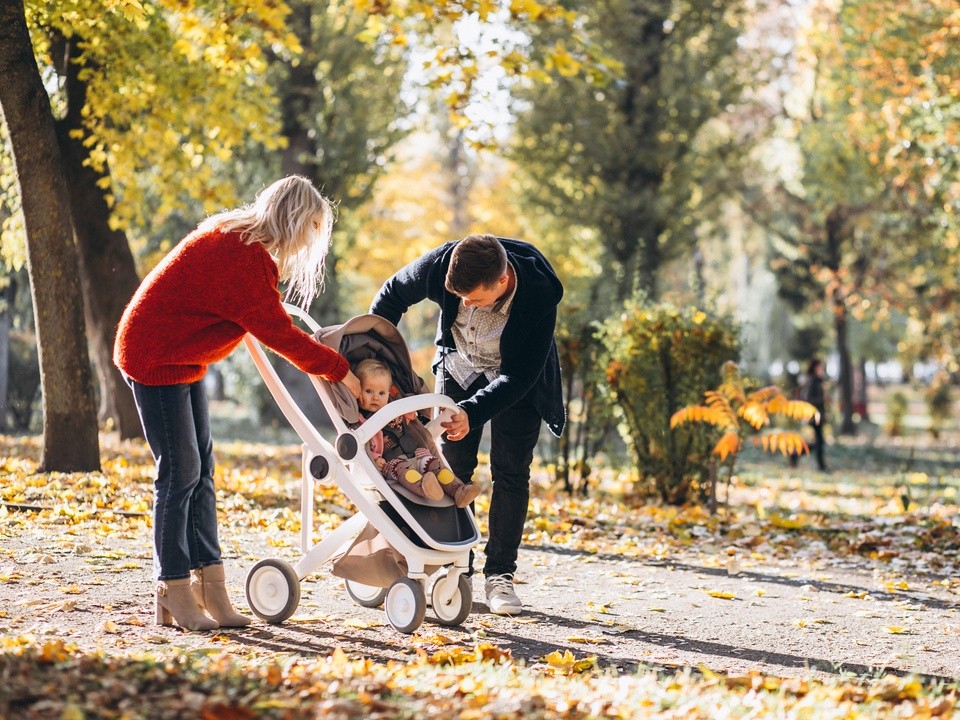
x=401 y=450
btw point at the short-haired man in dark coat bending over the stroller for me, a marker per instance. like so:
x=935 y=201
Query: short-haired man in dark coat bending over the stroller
x=497 y=358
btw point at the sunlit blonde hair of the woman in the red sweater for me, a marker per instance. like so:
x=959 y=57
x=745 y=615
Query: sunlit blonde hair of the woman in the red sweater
x=294 y=223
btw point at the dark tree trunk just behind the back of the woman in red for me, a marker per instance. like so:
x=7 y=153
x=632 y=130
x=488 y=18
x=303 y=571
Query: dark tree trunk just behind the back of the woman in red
x=108 y=273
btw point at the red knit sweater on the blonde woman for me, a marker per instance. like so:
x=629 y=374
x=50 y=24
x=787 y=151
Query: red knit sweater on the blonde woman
x=195 y=307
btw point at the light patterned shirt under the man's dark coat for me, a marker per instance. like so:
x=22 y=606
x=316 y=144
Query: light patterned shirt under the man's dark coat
x=477 y=333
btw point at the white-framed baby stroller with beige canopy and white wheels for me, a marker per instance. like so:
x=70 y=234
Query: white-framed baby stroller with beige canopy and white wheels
x=428 y=535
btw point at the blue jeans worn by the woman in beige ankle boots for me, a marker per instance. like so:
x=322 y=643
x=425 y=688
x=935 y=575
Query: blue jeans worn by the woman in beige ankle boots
x=176 y=423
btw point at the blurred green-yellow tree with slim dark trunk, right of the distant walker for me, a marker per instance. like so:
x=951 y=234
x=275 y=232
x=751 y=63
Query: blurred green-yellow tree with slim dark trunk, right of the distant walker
x=852 y=222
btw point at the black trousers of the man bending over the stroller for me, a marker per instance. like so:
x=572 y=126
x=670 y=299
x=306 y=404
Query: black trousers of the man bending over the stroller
x=513 y=436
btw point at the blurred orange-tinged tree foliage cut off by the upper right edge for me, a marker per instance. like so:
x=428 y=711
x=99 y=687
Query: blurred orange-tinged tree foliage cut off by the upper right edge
x=906 y=96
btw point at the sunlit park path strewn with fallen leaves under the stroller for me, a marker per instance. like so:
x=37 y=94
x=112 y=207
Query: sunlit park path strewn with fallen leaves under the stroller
x=784 y=618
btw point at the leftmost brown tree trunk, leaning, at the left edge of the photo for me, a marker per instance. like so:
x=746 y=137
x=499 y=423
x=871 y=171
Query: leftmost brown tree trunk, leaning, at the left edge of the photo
x=70 y=437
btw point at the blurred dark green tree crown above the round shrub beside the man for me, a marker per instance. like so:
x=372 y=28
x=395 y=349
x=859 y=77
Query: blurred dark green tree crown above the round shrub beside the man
x=628 y=158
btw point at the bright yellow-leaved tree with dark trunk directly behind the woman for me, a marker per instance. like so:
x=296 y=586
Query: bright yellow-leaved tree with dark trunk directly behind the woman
x=113 y=98
